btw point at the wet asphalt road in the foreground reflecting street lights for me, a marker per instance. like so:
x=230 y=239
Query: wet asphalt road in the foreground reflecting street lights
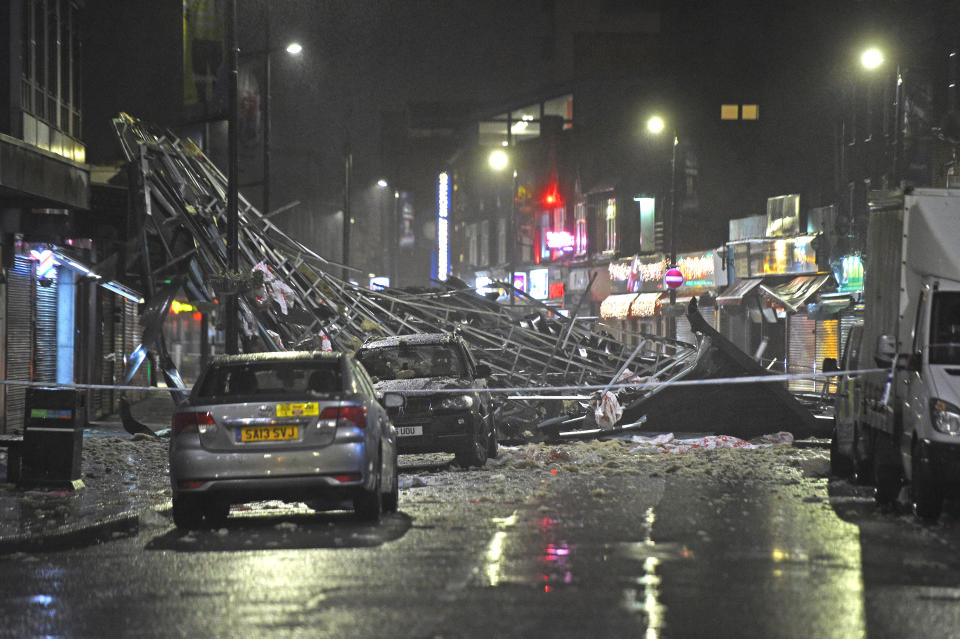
x=529 y=554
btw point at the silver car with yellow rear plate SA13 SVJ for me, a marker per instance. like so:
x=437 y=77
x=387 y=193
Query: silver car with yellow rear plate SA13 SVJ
x=295 y=426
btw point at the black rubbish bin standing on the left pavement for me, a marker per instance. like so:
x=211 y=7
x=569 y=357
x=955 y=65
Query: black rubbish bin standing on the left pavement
x=52 y=437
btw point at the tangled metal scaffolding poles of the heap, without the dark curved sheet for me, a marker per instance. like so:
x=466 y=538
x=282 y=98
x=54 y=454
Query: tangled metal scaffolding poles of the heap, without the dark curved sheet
x=289 y=297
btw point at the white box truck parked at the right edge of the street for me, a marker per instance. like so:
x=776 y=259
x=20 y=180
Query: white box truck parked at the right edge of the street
x=903 y=424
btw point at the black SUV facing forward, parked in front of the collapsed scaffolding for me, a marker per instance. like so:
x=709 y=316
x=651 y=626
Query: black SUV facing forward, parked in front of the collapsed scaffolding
x=428 y=422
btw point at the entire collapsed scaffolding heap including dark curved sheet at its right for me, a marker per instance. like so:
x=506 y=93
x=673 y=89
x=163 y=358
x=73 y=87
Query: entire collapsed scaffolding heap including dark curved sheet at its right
x=291 y=298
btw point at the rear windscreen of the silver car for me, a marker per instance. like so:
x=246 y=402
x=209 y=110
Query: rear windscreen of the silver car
x=273 y=380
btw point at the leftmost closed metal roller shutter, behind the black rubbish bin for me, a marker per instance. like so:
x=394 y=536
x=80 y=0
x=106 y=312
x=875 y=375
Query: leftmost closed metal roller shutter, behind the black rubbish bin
x=19 y=337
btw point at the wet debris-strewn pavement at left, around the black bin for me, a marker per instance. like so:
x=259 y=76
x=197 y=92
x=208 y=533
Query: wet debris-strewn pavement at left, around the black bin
x=123 y=481
